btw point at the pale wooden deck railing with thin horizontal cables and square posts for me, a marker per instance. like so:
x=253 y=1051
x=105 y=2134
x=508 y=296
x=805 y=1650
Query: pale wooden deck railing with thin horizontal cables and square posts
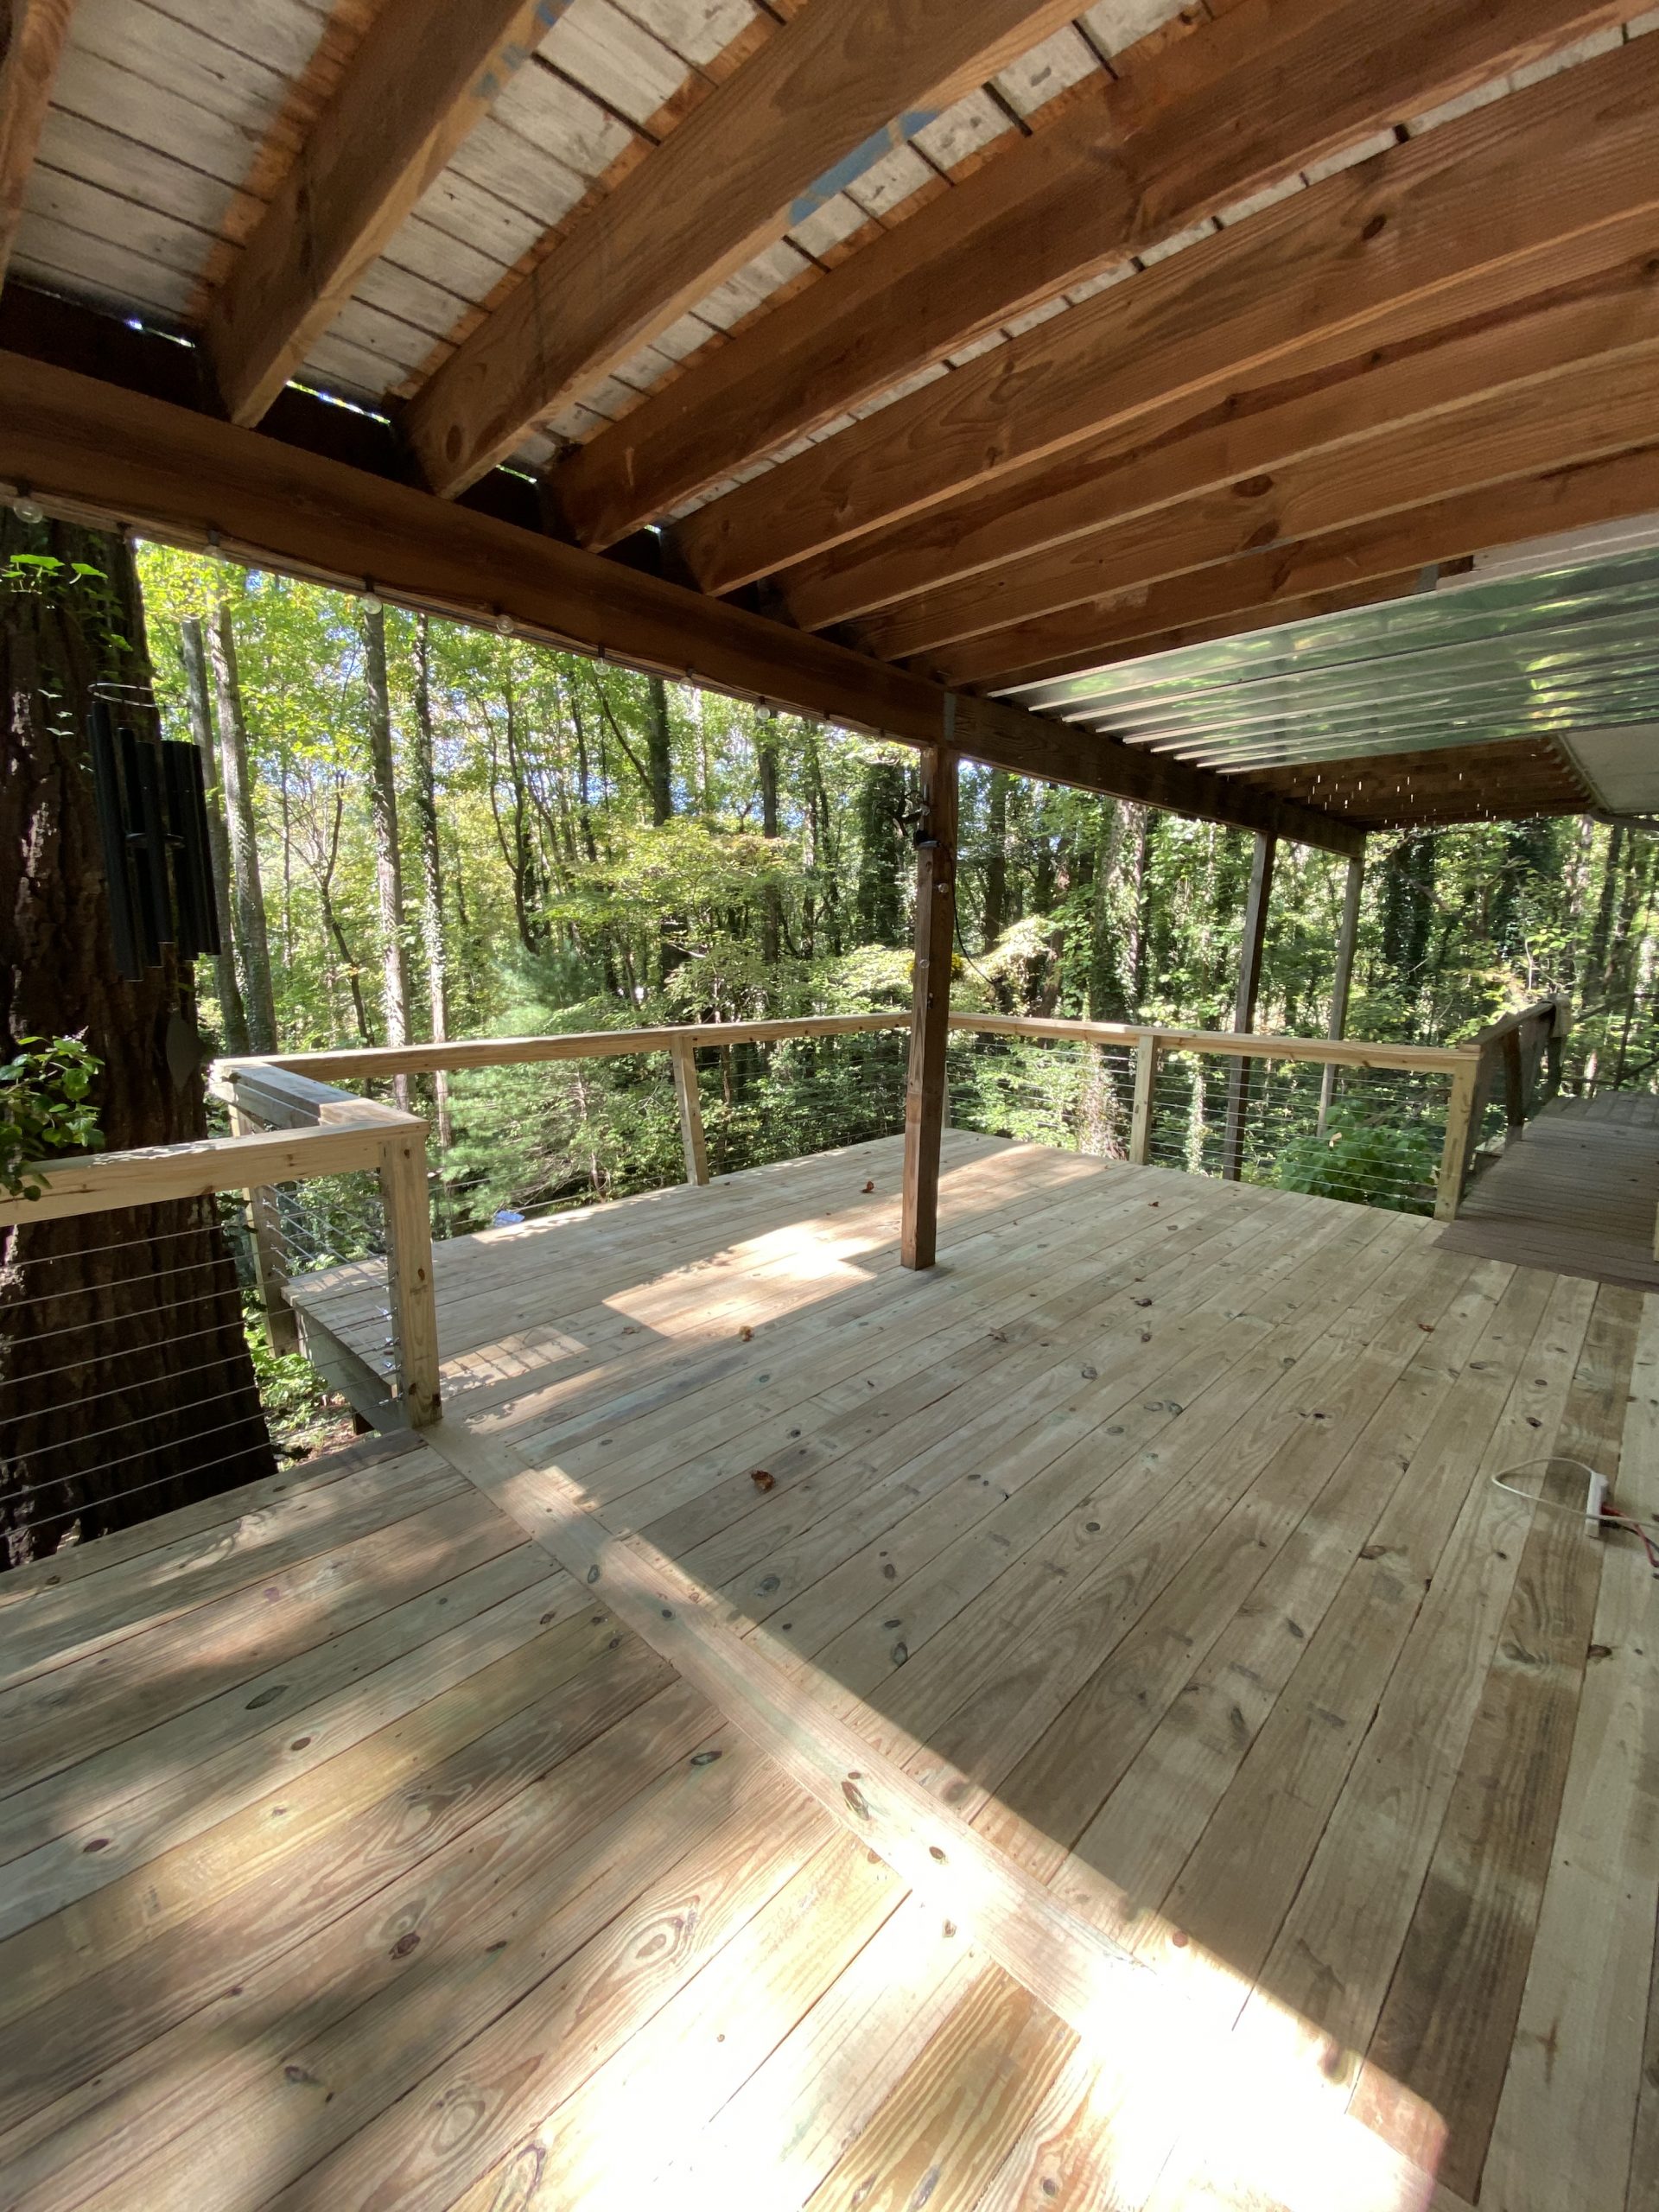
x=1392 y=1125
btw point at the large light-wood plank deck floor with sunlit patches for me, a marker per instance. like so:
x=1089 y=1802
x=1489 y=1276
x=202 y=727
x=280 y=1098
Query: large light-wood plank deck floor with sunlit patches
x=366 y=1850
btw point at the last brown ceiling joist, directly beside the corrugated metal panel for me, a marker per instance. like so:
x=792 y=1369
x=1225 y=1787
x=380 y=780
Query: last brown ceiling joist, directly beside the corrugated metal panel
x=1260 y=585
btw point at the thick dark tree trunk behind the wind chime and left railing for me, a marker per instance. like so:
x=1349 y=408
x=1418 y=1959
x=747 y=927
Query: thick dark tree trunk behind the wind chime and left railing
x=125 y=1375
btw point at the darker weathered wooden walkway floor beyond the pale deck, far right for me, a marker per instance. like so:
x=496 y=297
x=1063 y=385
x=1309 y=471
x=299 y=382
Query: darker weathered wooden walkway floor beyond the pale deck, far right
x=1578 y=1193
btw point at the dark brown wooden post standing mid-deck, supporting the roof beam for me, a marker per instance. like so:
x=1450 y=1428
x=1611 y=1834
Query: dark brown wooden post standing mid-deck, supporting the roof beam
x=930 y=1008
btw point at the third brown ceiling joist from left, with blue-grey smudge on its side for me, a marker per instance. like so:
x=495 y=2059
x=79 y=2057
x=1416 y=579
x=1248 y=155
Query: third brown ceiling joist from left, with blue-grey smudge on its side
x=795 y=123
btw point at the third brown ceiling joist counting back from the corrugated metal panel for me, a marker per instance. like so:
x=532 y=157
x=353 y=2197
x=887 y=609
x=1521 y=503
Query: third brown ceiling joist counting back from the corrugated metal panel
x=1317 y=406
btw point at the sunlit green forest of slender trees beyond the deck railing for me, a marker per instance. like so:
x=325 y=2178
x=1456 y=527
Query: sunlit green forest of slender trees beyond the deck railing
x=441 y=833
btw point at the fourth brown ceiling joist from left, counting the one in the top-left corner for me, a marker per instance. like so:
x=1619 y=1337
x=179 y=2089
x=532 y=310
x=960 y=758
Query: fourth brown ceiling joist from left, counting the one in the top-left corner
x=1196 y=127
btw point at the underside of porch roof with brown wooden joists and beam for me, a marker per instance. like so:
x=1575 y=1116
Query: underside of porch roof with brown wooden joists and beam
x=881 y=364
